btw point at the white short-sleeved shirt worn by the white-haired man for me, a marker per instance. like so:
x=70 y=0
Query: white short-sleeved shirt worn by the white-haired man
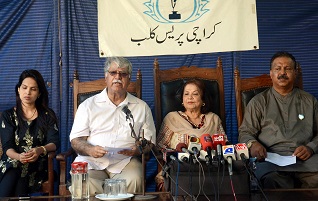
x=105 y=124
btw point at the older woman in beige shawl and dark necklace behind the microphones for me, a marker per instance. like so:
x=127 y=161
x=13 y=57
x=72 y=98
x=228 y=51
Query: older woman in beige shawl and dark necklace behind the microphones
x=196 y=119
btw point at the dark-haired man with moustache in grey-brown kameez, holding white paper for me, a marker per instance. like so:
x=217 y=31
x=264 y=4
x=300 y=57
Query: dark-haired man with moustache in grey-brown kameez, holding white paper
x=283 y=120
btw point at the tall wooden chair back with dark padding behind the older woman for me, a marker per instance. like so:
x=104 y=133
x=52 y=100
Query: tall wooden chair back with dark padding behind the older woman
x=168 y=84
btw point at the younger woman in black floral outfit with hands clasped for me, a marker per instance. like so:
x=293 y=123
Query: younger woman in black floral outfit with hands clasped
x=28 y=131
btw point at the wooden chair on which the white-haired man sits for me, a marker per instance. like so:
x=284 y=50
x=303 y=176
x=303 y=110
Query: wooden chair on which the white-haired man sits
x=82 y=91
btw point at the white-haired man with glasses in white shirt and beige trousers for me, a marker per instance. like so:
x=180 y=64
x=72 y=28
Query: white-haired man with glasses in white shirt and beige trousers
x=100 y=124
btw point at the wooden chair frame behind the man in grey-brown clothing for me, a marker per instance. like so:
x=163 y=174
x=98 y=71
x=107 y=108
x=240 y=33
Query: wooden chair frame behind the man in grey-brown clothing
x=247 y=88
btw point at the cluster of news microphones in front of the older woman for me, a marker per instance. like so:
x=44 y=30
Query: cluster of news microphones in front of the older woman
x=213 y=149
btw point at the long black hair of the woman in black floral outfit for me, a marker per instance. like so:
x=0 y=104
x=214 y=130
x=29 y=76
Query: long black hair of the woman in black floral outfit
x=41 y=102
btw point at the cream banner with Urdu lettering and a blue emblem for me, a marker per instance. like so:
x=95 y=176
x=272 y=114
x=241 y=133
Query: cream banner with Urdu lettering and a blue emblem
x=174 y=27
